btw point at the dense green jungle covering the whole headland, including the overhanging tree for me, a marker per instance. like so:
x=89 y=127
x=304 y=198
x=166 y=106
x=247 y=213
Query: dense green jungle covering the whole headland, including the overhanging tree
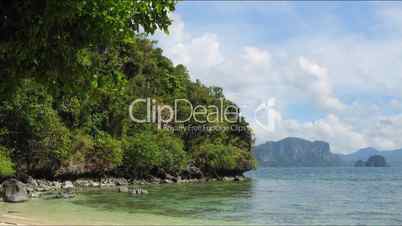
x=68 y=73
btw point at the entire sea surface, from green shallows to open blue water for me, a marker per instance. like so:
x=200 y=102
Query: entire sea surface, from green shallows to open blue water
x=274 y=196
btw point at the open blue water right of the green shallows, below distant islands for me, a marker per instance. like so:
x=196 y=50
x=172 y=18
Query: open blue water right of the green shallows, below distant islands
x=327 y=196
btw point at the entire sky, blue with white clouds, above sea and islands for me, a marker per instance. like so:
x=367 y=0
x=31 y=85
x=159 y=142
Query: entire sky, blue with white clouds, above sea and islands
x=333 y=69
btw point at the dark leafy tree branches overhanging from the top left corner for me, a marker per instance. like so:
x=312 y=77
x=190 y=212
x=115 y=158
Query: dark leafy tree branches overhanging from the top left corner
x=51 y=39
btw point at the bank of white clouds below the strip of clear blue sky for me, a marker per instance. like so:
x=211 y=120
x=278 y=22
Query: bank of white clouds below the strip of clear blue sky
x=336 y=80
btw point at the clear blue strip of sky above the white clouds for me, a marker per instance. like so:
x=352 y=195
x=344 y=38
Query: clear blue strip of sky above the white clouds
x=280 y=21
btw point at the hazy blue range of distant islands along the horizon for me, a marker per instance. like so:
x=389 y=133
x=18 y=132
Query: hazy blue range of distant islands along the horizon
x=298 y=152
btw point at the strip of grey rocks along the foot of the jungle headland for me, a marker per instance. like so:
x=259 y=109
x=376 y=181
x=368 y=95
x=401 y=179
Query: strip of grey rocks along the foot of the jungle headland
x=13 y=190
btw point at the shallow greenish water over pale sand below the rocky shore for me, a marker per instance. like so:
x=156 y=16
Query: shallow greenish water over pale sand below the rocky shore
x=169 y=204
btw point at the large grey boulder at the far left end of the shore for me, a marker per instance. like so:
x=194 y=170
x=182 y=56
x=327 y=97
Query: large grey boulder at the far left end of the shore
x=14 y=191
